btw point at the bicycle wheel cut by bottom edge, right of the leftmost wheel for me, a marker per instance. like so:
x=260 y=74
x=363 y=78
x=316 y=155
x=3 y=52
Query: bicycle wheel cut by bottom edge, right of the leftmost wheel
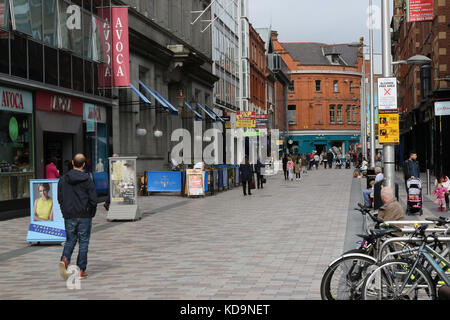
x=390 y=281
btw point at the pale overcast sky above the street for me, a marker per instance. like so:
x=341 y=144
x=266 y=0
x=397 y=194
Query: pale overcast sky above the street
x=327 y=21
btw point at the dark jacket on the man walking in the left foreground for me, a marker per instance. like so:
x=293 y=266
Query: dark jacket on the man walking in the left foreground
x=76 y=195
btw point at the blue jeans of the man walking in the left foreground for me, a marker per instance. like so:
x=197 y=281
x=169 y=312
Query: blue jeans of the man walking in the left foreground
x=77 y=229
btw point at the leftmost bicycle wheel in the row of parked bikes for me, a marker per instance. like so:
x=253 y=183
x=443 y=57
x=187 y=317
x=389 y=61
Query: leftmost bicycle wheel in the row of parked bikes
x=344 y=278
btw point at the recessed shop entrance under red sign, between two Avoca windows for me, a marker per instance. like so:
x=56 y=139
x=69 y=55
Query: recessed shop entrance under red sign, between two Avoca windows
x=59 y=131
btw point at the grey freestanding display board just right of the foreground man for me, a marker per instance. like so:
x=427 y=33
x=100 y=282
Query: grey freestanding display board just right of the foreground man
x=123 y=189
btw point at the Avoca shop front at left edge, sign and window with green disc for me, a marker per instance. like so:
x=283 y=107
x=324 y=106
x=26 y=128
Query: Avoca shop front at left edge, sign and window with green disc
x=16 y=152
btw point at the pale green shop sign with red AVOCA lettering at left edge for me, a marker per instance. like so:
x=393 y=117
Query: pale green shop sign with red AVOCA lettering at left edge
x=16 y=100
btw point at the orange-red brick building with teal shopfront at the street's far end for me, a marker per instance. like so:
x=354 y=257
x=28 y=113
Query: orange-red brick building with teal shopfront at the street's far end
x=324 y=95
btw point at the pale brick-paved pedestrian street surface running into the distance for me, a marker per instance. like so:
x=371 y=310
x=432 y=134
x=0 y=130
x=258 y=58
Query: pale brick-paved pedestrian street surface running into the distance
x=275 y=244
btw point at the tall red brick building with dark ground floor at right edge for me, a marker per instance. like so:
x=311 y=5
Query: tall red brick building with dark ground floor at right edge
x=419 y=87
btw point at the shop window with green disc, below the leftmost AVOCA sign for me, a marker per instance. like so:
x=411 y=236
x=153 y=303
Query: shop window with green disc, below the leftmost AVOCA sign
x=16 y=163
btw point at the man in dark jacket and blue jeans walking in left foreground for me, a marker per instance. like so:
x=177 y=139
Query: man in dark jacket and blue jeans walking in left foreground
x=78 y=201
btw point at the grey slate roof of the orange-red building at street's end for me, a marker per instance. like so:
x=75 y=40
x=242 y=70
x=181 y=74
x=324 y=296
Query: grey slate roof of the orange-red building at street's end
x=313 y=53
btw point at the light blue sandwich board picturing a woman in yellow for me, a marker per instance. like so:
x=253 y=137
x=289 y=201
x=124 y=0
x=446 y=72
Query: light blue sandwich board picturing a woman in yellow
x=46 y=220
